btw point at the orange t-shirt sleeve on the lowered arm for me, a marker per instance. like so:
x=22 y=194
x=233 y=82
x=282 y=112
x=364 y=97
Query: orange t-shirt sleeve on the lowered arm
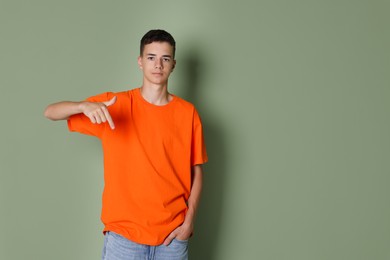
x=199 y=154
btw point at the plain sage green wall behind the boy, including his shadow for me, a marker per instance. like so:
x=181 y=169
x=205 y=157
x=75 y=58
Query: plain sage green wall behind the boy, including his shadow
x=294 y=96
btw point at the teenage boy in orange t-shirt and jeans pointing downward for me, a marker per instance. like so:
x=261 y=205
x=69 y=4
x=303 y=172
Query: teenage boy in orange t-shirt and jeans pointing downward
x=153 y=154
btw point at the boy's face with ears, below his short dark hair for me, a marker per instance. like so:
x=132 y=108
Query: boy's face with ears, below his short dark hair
x=157 y=63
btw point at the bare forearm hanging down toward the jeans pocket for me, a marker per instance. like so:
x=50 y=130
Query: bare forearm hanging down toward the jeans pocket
x=194 y=199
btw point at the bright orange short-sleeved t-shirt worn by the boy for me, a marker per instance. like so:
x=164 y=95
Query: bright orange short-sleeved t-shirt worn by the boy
x=147 y=163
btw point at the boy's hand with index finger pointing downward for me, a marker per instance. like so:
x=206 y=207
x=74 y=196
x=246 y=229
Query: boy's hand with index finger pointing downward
x=97 y=112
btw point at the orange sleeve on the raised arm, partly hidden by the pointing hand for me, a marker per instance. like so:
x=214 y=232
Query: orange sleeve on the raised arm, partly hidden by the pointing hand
x=82 y=124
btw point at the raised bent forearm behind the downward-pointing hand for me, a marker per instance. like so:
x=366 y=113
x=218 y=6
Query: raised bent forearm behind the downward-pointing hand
x=63 y=110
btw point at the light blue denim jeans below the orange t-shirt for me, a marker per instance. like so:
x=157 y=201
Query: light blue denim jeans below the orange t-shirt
x=116 y=247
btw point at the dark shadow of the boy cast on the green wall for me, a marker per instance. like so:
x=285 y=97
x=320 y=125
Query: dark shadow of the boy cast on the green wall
x=208 y=222
